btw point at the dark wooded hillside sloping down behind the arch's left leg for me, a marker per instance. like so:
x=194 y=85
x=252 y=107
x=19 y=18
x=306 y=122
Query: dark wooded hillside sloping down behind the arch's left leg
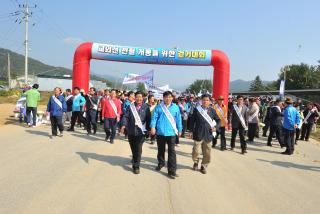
x=35 y=66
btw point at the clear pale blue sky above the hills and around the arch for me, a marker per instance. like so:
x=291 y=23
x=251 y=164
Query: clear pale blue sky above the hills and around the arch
x=258 y=36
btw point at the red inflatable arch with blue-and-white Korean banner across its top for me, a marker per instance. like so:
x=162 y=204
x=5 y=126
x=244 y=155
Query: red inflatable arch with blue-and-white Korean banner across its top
x=87 y=51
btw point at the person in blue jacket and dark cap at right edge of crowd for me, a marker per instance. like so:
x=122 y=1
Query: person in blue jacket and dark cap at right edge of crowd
x=291 y=119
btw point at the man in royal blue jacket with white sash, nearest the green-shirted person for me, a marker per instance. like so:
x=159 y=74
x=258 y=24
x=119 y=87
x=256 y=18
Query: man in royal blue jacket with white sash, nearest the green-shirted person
x=57 y=107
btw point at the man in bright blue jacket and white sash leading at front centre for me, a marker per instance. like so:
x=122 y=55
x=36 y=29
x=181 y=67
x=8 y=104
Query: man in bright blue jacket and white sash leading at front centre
x=166 y=122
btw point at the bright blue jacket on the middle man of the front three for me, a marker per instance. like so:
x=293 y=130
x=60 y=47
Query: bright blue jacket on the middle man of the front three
x=161 y=122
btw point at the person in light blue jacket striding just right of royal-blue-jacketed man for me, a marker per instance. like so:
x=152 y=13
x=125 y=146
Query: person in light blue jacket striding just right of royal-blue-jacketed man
x=77 y=105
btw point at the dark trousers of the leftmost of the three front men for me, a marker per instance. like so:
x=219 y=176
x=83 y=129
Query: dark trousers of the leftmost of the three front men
x=136 y=143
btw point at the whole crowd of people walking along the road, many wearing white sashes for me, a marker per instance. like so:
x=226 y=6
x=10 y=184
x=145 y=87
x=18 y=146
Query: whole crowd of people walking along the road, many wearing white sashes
x=139 y=116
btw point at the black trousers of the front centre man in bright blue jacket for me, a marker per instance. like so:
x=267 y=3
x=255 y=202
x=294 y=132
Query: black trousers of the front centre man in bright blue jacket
x=172 y=159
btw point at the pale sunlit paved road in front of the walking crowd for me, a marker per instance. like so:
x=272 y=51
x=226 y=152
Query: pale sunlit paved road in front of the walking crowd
x=81 y=174
